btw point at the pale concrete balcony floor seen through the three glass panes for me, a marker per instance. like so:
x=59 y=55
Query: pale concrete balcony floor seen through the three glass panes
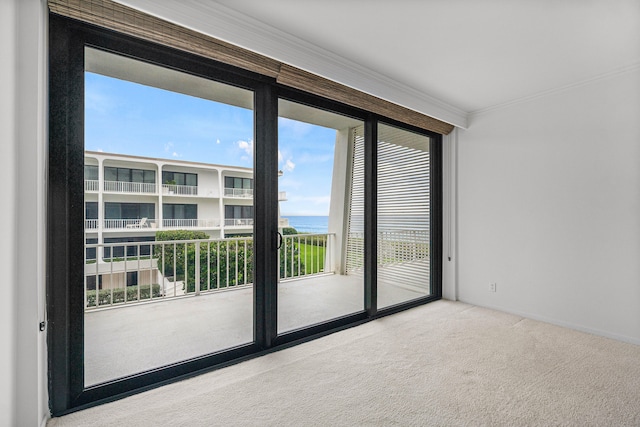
x=130 y=339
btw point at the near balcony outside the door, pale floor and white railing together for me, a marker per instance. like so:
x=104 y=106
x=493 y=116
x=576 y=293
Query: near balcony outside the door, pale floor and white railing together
x=173 y=307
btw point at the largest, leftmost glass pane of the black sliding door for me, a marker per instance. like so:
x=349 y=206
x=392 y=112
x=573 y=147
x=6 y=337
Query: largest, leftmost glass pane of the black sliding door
x=160 y=251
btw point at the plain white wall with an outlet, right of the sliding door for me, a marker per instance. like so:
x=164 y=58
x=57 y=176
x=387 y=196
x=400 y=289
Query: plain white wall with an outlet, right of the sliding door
x=549 y=208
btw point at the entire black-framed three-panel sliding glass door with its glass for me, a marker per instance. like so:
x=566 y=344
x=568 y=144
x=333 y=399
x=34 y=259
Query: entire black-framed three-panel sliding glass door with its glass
x=200 y=214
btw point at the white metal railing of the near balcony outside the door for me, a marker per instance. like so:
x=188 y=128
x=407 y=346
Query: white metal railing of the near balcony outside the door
x=144 y=271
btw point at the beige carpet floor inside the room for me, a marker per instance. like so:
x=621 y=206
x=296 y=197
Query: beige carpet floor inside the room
x=442 y=364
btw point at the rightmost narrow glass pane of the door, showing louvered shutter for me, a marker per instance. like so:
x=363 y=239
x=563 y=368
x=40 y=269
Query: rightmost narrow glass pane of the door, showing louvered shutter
x=403 y=234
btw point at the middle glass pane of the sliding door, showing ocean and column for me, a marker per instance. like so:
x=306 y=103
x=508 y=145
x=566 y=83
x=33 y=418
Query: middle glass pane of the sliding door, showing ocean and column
x=315 y=154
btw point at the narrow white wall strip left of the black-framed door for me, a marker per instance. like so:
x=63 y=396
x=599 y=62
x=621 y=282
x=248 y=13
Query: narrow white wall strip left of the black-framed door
x=23 y=398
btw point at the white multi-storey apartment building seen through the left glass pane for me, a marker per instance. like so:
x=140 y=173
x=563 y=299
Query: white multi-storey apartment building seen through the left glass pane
x=129 y=198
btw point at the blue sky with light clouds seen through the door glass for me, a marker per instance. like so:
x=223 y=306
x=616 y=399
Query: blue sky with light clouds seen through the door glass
x=129 y=118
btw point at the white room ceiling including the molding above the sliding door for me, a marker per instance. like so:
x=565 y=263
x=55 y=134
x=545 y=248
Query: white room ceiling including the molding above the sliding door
x=446 y=58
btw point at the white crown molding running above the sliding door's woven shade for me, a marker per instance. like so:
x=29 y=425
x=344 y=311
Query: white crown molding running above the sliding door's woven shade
x=219 y=21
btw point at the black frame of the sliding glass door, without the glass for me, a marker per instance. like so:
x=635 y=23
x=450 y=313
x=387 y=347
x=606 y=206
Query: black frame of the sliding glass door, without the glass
x=65 y=238
